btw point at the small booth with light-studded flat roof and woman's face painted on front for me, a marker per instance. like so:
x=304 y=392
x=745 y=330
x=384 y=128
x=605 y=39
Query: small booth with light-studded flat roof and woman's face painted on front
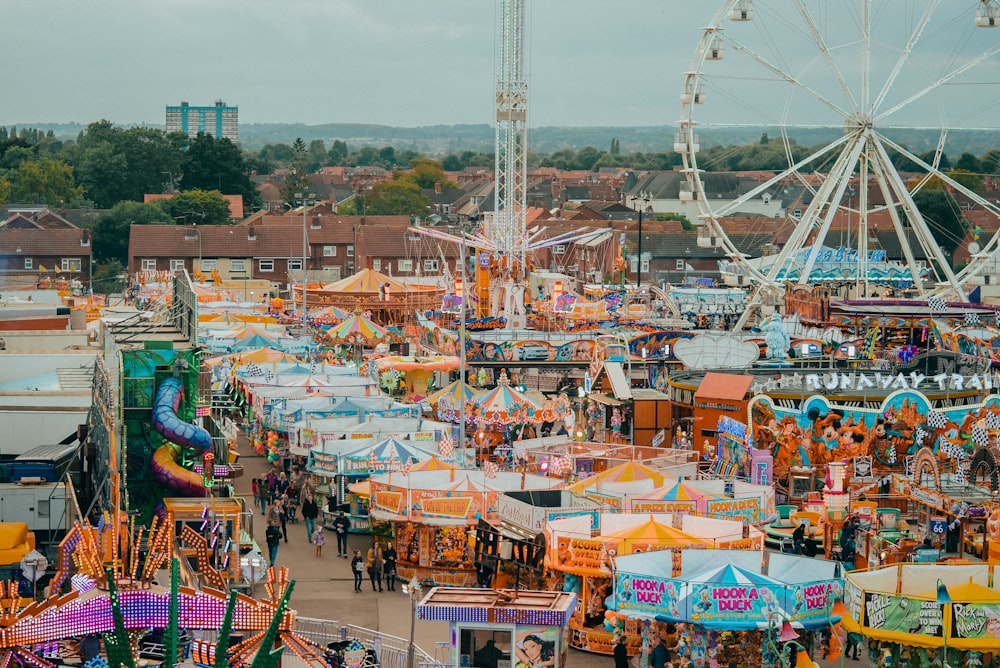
x=503 y=628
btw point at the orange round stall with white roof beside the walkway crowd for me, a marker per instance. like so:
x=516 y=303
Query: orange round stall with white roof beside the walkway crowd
x=433 y=514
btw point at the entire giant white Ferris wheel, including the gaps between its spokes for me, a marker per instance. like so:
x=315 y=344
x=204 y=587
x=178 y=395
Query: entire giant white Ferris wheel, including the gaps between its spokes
x=841 y=91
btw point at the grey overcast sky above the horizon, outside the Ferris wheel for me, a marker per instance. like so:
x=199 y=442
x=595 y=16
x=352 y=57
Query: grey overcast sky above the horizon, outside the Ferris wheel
x=393 y=62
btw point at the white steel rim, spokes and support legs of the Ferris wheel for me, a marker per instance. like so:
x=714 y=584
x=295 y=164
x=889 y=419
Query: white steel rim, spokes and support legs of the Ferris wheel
x=864 y=156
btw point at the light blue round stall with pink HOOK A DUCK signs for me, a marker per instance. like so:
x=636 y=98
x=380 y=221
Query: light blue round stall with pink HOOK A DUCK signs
x=725 y=605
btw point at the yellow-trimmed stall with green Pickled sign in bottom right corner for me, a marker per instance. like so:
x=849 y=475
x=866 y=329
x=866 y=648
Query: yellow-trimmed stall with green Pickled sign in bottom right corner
x=921 y=614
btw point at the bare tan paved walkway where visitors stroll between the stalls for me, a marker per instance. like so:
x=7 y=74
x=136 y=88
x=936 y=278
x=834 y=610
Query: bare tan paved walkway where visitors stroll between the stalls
x=324 y=587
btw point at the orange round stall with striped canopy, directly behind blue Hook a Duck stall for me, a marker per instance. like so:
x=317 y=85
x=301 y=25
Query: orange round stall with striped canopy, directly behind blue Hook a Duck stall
x=581 y=553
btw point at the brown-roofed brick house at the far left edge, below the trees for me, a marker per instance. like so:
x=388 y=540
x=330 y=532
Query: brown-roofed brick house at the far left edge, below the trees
x=37 y=242
